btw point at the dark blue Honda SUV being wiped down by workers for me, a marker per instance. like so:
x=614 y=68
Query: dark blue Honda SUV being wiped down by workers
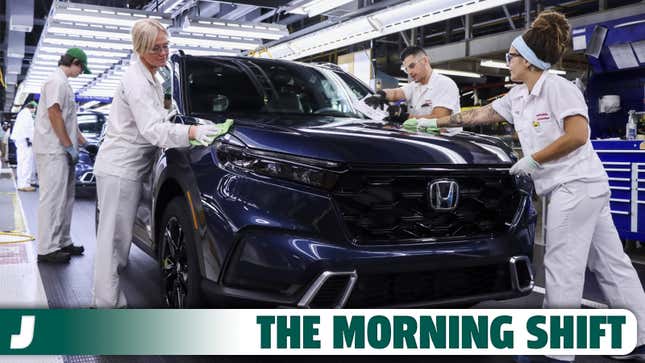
x=306 y=203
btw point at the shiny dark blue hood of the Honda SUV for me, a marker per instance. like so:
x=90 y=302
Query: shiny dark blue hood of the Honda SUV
x=358 y=141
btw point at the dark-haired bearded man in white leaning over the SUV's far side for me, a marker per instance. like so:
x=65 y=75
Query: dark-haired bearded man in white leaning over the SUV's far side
x=428 y=95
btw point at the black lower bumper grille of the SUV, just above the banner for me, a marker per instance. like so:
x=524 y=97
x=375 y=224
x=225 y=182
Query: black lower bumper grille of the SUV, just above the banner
x=428 y=286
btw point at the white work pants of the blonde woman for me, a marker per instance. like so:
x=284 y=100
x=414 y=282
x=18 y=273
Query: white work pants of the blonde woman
x=118 y=199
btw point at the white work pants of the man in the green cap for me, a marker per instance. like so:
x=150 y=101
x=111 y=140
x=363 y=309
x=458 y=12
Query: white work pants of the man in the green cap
x=56 y=202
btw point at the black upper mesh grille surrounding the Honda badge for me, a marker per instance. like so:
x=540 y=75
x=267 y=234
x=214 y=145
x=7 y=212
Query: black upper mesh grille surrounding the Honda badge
x=393 y=207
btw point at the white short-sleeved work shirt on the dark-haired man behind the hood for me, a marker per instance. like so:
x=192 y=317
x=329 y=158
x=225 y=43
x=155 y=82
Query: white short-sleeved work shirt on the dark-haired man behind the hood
x=440 y=91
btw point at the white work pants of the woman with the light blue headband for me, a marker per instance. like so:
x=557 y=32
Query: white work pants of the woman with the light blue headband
x=581 y=233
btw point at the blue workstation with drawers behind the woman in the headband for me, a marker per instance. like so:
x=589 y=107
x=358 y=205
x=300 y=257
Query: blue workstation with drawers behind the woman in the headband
x=623 y=160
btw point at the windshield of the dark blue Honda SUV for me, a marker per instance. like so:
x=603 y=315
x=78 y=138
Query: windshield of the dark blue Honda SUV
x=261 y=86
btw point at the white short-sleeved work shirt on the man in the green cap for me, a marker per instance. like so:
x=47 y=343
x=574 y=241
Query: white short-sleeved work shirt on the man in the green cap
x=56 y=90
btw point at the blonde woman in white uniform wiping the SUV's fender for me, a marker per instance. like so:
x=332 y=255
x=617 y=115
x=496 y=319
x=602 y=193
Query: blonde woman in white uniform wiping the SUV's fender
x=138 y=125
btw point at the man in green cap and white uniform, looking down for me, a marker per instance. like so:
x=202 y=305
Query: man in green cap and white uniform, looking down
x=56 y=140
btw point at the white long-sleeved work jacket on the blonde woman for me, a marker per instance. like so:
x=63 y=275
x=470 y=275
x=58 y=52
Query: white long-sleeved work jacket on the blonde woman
x=136 y=127
